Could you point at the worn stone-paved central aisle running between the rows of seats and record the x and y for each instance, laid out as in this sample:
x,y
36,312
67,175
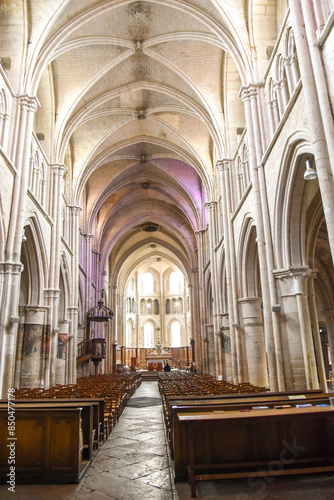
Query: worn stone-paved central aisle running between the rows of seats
x,y
134,463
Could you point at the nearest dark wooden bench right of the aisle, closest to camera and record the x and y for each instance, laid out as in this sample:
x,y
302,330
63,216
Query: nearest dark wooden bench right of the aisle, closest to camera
x,y
270,442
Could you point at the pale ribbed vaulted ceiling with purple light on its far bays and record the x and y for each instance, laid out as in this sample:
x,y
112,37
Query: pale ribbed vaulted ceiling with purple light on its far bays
x,y
138,99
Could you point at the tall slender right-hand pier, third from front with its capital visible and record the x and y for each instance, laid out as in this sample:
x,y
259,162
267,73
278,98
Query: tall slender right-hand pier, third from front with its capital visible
x,y
212,206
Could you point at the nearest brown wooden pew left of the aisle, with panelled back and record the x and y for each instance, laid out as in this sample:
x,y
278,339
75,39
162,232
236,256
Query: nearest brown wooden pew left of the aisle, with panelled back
x,y
48,445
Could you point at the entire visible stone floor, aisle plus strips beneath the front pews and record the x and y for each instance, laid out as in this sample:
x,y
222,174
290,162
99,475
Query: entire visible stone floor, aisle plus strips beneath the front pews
x,y
134,464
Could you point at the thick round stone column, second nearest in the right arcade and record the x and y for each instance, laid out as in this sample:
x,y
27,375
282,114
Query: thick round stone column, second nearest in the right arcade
x,y
255,345
